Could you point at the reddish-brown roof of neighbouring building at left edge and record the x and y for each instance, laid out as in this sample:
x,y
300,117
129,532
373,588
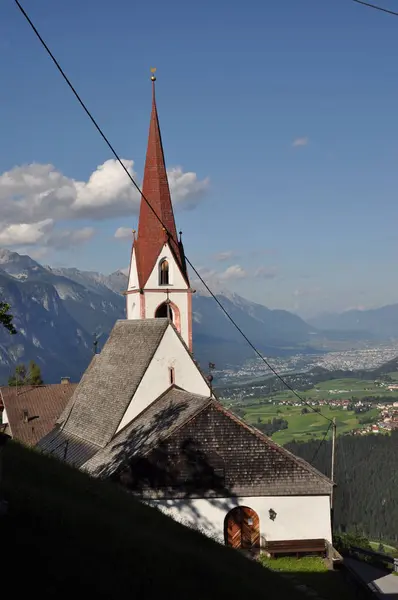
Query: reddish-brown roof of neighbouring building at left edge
x,y
43,405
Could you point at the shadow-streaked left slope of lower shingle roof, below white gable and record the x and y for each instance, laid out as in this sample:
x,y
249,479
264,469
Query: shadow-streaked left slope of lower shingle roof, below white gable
x,y
160,420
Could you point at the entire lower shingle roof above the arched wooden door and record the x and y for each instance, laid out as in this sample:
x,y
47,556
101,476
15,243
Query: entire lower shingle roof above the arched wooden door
x,y
176,426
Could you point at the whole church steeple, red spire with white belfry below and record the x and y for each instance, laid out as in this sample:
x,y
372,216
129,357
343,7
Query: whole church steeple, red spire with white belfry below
x,y
158,279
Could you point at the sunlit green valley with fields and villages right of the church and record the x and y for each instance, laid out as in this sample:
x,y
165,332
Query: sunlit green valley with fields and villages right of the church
x,y
359,406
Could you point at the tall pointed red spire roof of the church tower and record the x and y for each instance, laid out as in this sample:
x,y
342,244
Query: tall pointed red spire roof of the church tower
x,y
151,233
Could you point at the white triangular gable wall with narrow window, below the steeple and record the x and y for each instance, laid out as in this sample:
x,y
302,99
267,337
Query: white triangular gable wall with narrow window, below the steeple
x,y
170,353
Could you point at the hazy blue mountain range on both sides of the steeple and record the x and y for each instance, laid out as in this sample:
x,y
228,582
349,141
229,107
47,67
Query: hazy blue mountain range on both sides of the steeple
x,y
58,311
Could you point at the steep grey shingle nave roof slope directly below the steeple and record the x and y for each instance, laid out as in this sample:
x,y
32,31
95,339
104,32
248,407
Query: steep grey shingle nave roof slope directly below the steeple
x,y
111,380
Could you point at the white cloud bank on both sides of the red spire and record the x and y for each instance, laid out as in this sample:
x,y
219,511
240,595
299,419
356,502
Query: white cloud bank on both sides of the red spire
x,y
33,198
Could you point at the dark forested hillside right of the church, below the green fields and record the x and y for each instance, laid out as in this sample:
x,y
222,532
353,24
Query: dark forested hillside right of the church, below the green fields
x,y
366,495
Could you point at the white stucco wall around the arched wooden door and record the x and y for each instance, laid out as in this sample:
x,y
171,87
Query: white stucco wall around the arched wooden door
x,y
297,517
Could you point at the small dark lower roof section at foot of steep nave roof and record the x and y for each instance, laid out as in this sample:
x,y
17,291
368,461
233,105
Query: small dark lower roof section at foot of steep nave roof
x,y
67,447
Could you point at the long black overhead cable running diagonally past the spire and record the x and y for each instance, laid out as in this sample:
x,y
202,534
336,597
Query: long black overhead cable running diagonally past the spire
x,y
115,154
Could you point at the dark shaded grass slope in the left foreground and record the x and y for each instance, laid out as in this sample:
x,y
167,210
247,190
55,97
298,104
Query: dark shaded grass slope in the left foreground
x,y
66,533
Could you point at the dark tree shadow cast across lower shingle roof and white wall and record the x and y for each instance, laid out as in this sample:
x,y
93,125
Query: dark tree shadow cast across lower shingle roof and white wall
x,y
155,461
